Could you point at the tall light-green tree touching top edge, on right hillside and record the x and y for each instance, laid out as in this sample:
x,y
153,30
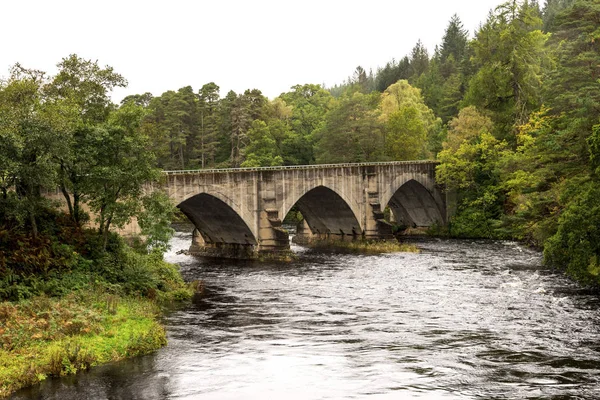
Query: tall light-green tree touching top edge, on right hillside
x,y
510,55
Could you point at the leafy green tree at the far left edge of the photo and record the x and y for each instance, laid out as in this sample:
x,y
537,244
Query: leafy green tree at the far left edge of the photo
x,y
30,141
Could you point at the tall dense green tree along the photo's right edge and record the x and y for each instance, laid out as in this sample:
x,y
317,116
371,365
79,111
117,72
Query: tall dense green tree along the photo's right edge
x,y
555,159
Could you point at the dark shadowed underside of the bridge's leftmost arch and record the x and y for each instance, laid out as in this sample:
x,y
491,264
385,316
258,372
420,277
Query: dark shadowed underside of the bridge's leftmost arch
x,y
216,221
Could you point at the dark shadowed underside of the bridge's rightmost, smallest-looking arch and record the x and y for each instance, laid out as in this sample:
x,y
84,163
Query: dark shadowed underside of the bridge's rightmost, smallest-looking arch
x,y
413,205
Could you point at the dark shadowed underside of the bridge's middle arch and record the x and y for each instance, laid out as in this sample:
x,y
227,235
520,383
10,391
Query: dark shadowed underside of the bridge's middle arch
x,y
327,213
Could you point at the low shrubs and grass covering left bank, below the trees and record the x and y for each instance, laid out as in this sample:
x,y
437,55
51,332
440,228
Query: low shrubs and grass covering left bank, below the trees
x,y
68,304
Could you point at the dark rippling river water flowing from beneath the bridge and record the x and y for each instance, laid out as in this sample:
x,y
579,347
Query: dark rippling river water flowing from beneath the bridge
x,y
460,320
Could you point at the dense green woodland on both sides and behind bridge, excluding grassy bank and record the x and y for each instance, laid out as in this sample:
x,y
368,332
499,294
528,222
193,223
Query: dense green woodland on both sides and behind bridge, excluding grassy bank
x,y
512,114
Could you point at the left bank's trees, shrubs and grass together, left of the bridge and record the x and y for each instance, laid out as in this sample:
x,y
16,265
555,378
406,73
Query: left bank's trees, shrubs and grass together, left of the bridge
x,y
73,296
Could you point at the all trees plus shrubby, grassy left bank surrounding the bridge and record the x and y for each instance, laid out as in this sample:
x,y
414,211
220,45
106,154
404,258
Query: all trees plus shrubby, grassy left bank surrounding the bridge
x,y
512,114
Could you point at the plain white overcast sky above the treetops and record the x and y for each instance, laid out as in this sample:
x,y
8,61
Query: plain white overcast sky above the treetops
x,y
268,45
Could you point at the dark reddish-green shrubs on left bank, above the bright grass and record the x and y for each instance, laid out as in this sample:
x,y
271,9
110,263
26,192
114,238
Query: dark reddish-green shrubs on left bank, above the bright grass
x,y
65,258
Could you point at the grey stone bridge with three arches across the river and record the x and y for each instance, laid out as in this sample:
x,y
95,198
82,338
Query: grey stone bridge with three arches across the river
x,y
239,212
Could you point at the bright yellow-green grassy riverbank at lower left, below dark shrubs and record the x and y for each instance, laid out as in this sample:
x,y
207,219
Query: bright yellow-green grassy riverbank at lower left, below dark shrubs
x,y
50,337
